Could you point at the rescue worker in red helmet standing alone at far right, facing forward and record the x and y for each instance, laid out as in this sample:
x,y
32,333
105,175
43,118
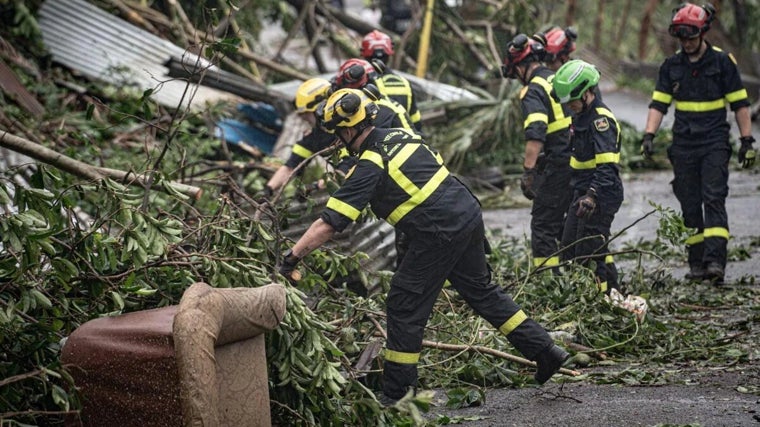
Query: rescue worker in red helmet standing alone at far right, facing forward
x,y
701,79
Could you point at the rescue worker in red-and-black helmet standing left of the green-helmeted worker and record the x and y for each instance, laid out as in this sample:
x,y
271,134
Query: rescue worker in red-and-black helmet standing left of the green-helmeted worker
x,y
546,129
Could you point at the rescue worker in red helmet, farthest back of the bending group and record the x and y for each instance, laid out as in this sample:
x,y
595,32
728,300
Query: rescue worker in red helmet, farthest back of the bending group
x,y
377,47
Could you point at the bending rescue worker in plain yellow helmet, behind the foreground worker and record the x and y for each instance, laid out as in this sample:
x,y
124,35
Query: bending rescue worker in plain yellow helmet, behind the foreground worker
x,y
308,97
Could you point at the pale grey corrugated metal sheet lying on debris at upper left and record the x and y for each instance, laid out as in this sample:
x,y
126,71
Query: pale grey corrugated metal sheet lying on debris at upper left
x,y
104,47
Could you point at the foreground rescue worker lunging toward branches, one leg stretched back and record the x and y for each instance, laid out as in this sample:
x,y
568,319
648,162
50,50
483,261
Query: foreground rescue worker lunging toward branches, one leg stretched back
x,y
405,182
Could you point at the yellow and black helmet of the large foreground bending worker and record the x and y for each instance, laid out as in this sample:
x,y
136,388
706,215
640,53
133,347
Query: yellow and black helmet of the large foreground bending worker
x,y
348,108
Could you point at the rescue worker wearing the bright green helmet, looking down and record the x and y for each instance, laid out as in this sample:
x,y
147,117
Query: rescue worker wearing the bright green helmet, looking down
x,y
597,188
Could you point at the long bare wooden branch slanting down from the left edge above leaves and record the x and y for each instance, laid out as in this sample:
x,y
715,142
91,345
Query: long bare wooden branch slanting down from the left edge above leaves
x,y
84,170
